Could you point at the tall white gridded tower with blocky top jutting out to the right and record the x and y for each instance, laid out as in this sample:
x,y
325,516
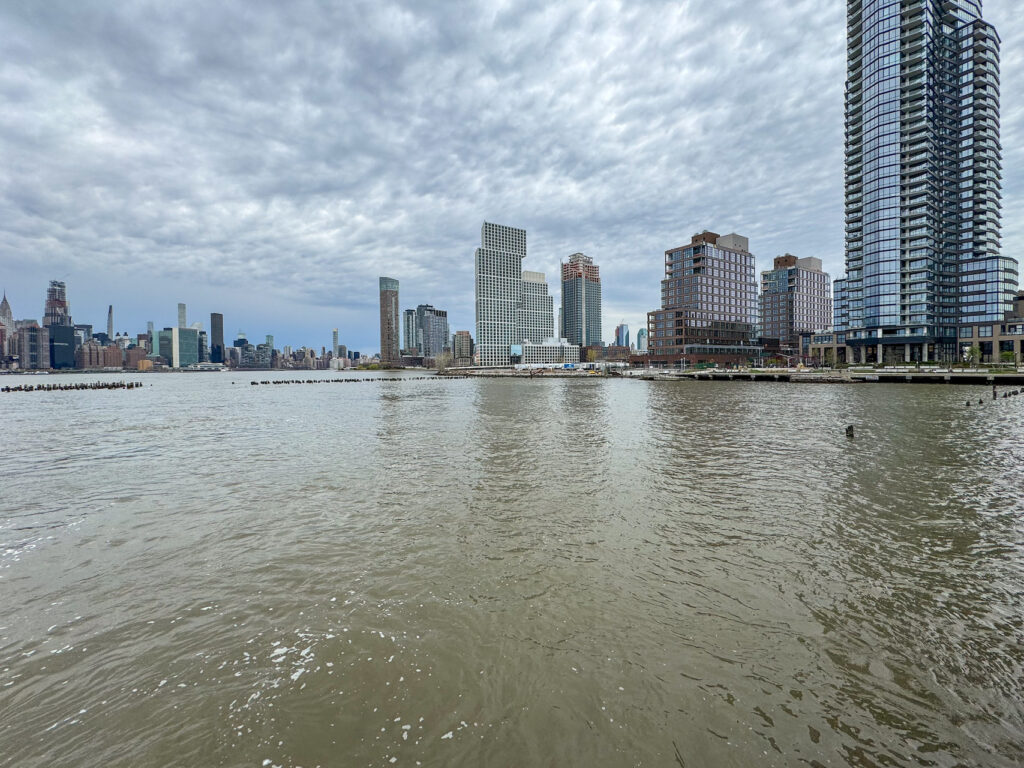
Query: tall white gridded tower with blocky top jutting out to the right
x,y
498,276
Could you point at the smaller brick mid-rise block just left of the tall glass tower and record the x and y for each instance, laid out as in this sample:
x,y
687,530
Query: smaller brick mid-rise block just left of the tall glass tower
x,y
796,296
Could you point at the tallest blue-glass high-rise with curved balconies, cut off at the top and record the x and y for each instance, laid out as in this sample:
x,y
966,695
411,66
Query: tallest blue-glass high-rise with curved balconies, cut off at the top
x,y
923,181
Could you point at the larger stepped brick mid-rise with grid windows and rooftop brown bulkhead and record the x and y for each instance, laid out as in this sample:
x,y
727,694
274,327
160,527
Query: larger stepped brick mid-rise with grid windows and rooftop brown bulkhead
x,y
709,304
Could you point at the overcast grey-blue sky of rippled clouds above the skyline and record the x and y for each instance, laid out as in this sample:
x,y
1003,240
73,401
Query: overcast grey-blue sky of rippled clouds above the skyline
x,y
271,160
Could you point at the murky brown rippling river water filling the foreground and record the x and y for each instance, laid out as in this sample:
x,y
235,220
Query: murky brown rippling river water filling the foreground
x,y
511,574
